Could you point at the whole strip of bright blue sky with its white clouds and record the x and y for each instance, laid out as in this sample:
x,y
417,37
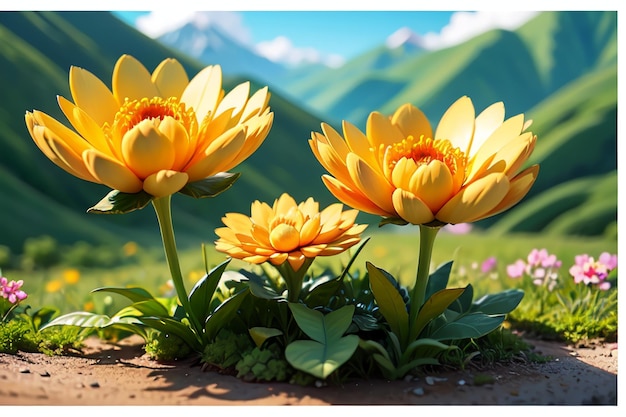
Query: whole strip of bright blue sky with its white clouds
x,y
326,35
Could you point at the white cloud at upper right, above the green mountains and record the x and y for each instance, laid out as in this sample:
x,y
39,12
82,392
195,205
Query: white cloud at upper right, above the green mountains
x,y
465,25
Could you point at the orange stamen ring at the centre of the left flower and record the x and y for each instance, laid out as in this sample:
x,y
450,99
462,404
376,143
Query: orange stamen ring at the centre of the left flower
x,y
134,111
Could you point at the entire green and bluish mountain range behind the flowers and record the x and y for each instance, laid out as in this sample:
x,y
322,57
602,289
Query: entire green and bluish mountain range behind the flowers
x,y
560,69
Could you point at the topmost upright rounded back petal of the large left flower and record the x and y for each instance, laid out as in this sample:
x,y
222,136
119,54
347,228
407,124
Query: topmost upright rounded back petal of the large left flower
x,y
131,80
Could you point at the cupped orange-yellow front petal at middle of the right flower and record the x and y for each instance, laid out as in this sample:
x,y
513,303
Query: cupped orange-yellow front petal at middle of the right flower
x,y
433,184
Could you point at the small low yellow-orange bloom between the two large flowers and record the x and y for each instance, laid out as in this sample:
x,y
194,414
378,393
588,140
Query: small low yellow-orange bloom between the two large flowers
x,y
288,231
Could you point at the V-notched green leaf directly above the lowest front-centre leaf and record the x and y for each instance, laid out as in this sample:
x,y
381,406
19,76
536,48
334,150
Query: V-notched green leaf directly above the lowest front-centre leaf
x,y
319,327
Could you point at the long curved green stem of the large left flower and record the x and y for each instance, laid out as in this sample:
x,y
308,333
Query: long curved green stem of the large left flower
x,y
162,207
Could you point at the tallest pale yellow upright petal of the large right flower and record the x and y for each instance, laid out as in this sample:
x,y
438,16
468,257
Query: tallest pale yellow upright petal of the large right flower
x,y
457,124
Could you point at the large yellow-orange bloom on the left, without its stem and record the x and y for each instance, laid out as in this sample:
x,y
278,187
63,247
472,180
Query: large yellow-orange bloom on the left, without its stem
x,y
153,132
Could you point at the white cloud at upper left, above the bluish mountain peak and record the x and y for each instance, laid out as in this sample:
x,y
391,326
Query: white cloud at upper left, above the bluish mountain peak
x,y
157,23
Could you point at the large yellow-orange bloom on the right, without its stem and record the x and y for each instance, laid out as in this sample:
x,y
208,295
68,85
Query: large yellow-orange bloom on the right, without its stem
x,y
467,171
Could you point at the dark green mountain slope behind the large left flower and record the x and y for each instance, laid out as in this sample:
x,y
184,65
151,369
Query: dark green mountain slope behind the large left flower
x,y
36,52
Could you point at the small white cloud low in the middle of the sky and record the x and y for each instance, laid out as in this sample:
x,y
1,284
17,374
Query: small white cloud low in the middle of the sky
x,y
282,50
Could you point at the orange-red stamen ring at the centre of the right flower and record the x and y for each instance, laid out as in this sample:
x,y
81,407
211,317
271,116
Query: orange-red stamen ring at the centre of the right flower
x,y
425,150
